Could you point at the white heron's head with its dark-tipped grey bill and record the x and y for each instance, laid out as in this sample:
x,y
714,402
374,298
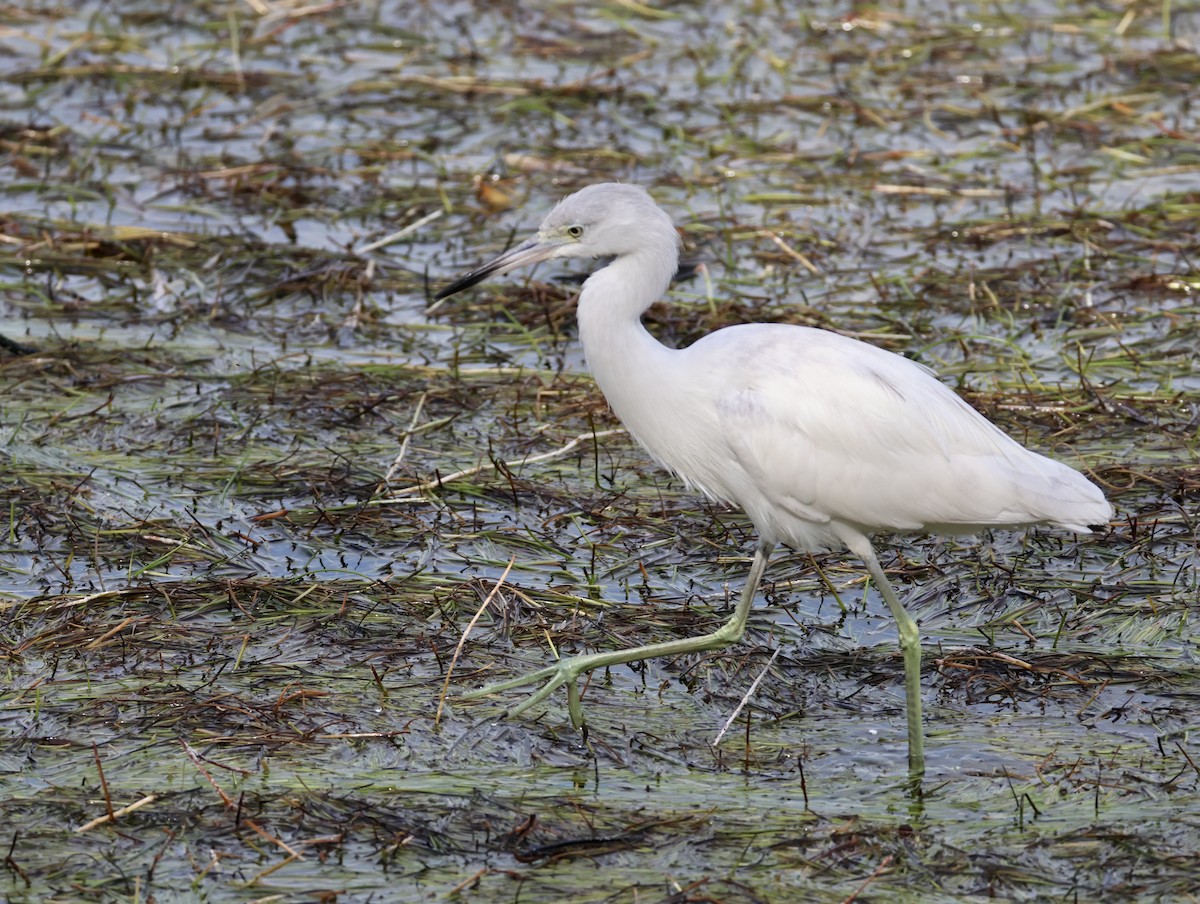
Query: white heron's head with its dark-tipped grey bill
x,y
605,220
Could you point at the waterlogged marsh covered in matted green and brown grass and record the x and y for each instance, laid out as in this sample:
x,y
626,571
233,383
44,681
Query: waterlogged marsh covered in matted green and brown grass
x,y
256,487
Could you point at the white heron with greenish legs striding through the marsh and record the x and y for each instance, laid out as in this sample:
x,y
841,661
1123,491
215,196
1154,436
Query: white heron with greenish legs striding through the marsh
x,y
823,440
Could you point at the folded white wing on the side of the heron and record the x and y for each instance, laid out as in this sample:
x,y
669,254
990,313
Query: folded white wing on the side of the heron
x,y
820,426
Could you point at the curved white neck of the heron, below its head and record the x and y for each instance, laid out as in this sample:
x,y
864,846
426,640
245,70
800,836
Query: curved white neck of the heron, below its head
x,y
623,357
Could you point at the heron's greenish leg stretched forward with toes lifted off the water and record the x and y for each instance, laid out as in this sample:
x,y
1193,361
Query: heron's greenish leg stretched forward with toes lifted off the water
x,y
567,672
